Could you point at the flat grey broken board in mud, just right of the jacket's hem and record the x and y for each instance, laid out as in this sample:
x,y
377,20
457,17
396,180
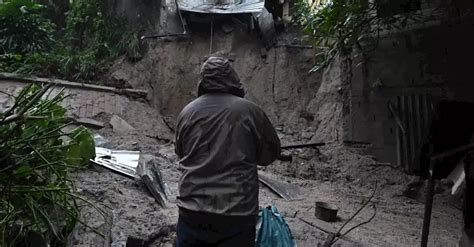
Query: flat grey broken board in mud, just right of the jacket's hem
x,y
287,191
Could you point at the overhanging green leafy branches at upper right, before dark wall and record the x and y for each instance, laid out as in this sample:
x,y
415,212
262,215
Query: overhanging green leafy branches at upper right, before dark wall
x,y
348,27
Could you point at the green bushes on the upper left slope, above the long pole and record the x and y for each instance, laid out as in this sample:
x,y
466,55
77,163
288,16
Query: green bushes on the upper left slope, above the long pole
x,y
35,40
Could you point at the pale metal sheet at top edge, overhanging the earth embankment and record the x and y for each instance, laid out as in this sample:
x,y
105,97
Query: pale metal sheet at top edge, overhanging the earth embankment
x,y
221,7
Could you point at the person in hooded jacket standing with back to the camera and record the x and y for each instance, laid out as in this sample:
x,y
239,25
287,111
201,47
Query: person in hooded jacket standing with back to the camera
x,y
220,140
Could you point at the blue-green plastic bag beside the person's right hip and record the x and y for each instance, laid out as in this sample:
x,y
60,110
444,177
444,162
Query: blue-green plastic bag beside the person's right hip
x,y
273,230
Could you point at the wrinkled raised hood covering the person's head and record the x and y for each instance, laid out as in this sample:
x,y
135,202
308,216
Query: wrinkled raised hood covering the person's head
x,y
218,76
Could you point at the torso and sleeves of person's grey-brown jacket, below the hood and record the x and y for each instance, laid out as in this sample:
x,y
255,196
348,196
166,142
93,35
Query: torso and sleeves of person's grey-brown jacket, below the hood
x,y
221,139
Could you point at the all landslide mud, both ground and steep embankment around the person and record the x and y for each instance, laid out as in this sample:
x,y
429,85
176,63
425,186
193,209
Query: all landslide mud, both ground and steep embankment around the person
x,y
303,107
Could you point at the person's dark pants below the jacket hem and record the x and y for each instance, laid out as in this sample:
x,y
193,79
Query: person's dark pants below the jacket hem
x,y
196,229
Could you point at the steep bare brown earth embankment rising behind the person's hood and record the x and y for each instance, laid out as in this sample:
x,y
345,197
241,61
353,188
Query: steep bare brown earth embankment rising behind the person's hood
x,y
276,79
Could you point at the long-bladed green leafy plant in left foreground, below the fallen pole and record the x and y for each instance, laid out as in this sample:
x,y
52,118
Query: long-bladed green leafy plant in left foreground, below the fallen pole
x,y
36,155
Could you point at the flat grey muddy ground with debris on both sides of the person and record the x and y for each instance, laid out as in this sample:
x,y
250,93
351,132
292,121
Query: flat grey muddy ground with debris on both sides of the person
x,y
337,174
